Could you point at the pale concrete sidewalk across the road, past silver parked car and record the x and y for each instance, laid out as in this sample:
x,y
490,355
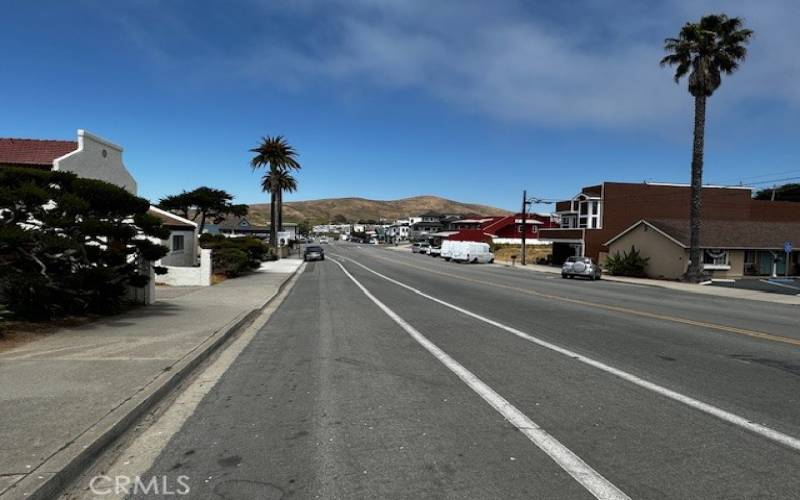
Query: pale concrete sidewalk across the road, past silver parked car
x,y
676,285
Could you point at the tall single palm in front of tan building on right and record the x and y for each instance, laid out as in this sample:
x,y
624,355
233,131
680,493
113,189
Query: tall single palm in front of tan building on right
x,y
704,50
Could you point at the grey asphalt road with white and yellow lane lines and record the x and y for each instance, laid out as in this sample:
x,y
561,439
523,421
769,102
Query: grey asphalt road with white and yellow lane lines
x,y
512,385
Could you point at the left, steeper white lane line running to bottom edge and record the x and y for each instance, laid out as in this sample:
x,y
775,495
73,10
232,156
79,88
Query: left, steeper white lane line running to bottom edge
x,y
589,478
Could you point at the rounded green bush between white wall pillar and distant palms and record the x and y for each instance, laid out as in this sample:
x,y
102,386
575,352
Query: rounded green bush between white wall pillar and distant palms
x,y
233,257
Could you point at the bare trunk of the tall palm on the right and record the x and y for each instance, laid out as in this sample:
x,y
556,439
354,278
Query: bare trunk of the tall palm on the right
x,y
695,271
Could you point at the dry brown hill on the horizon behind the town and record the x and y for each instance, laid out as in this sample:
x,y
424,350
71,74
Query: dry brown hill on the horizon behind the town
x,y
354,209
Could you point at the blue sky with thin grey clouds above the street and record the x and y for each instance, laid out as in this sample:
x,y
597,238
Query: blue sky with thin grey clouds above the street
x,y
470,100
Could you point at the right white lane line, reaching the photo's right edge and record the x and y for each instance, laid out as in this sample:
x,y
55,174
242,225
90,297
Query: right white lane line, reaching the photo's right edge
x,y
732,418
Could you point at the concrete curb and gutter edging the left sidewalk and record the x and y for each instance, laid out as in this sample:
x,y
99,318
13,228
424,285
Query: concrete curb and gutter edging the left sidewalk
x,y
57,472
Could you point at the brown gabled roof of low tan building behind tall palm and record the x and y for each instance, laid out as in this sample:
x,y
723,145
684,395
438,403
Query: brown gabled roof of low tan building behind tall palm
x,y
726,234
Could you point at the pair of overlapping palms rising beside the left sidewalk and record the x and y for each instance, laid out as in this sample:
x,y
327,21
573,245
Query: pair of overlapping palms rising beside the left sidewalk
x,y
277,155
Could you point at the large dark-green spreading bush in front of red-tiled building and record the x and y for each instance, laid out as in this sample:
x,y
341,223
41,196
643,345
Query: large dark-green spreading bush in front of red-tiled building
x,y
70,245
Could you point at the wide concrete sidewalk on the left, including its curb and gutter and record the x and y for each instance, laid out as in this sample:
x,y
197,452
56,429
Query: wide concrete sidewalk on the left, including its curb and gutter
x,y
63,397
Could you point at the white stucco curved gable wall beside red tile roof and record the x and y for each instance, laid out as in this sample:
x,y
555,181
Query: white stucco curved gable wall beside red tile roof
x,y
99,159
